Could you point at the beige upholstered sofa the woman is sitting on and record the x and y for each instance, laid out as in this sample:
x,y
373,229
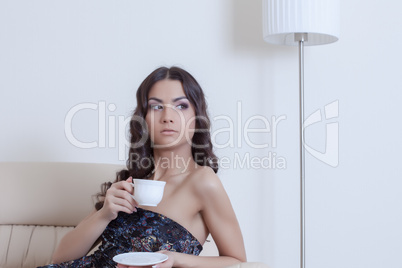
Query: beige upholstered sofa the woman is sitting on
x,y
40,202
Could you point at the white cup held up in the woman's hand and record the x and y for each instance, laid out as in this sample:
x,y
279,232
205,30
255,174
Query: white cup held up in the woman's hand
x,y
148,192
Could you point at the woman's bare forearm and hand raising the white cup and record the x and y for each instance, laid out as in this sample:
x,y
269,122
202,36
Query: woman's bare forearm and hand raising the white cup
x,y
79,241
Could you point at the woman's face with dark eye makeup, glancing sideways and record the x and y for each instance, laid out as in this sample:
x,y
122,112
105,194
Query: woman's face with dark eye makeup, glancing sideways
x,y
170,116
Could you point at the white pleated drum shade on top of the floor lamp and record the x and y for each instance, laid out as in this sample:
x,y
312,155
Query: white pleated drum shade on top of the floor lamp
x,y
318,18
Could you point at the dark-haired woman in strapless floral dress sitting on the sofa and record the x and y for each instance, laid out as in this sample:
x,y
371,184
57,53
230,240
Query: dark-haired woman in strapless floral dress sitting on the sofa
x,y
170,141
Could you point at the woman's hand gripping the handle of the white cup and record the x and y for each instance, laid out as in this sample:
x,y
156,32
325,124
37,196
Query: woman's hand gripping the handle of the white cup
x,y
118,198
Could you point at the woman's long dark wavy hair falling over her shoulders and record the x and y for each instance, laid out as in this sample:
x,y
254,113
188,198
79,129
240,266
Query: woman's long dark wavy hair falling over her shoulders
x,y
140,142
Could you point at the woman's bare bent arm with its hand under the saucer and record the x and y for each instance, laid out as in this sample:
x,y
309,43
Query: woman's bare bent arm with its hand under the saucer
x,y
222,223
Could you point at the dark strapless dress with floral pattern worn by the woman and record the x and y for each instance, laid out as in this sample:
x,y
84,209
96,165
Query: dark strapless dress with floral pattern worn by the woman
x,y
141,231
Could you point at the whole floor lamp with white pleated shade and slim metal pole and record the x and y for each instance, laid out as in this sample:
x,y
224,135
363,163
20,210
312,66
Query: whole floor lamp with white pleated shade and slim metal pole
x,y
301,23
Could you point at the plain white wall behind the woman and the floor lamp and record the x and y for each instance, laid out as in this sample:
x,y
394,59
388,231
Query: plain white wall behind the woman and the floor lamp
x,y
55,55
